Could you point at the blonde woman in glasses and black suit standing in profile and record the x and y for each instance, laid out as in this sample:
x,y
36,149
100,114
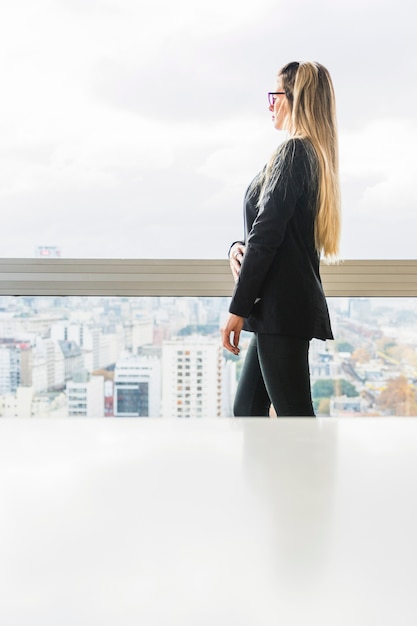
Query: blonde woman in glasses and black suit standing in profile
x,y
292,217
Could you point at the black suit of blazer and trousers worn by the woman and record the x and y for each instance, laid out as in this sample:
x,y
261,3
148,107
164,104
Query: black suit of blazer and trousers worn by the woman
x,y
279,291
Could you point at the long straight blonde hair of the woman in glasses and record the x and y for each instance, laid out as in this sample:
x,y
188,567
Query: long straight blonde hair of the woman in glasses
x,y
310,94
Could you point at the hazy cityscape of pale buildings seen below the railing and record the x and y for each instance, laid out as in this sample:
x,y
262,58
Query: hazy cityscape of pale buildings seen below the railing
x,y
63,357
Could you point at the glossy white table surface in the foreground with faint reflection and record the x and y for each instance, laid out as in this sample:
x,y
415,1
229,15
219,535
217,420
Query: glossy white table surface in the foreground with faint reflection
x,y
235,522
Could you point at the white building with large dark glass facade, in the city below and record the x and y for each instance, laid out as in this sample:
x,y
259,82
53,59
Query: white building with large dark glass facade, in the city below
x,y
137,387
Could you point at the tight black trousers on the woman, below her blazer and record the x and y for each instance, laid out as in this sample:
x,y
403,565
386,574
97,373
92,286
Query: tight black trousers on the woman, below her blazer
x,y
276,372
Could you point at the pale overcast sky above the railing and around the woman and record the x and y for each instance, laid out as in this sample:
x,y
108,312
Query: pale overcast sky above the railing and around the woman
x,y
131,128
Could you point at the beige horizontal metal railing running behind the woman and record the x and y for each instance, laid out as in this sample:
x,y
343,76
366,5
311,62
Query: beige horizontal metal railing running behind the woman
x,y
194,277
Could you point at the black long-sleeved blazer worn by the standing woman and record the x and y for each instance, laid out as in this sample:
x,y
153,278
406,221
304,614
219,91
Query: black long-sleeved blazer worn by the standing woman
x,y
279,289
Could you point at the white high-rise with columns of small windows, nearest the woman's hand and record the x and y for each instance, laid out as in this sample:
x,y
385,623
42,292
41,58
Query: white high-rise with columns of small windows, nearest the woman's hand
x,y
192,373
